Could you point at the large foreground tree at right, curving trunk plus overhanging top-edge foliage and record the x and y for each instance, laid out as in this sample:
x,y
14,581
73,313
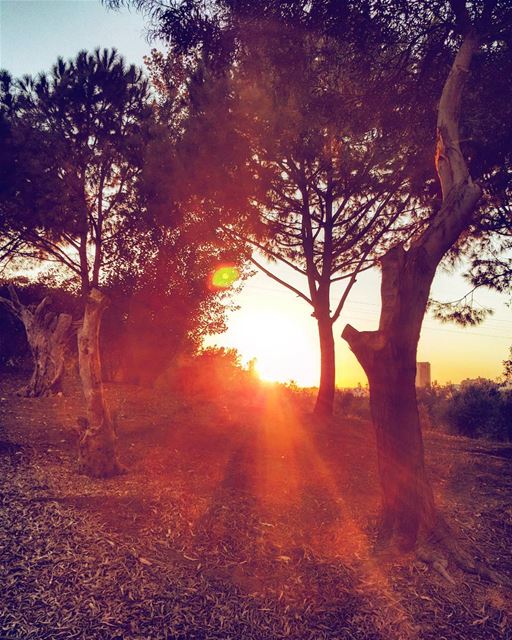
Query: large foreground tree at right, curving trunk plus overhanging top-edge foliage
x,y
425,36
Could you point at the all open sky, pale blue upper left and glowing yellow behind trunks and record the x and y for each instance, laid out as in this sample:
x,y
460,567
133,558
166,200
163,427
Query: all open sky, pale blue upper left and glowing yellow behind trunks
x,y
272,324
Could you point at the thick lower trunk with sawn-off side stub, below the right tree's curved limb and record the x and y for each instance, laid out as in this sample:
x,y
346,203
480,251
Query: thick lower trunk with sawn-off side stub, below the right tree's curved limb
x,y
388,357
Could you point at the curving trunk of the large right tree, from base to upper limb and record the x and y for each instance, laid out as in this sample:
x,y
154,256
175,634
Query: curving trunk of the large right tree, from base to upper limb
x,y
388,355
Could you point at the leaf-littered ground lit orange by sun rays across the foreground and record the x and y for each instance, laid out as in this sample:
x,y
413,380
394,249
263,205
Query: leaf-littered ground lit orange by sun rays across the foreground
x,y
239,517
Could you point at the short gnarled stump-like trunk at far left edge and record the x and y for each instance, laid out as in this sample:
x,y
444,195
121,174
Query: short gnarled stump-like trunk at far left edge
x,y
48,336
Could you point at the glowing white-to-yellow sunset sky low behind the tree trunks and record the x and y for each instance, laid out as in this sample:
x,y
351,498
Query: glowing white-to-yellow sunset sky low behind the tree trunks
x,y
276,327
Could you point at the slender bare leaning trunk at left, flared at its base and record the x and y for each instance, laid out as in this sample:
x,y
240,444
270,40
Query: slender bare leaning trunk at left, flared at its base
x,y
97,444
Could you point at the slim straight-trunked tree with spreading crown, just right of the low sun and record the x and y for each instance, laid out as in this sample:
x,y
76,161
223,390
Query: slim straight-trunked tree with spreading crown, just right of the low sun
x,y
327,187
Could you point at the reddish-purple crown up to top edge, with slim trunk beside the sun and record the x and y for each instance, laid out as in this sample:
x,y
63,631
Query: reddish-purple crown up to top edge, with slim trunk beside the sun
x,y
291,132
